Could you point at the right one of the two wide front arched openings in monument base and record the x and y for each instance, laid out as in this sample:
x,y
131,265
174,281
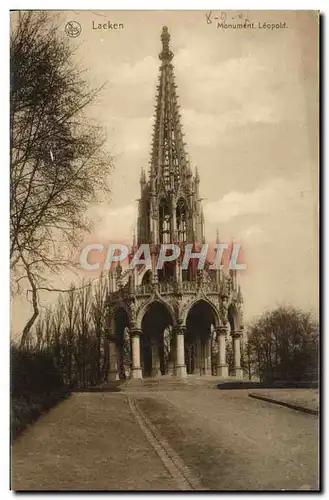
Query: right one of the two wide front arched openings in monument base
x,y
199,339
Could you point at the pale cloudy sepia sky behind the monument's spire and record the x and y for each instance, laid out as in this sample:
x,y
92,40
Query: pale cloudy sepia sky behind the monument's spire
x,y
249,106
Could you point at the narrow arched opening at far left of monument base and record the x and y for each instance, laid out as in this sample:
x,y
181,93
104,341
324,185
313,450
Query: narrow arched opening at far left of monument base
x,y
122,340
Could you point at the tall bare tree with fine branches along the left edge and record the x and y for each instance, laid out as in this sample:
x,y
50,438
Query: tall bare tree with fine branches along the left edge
x,y
58,164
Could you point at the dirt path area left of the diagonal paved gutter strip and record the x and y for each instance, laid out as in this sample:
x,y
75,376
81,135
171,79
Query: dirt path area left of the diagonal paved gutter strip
x,y
89,442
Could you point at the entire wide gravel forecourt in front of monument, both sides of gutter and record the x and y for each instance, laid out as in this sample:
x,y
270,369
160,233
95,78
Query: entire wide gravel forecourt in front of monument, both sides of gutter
x,y
168,440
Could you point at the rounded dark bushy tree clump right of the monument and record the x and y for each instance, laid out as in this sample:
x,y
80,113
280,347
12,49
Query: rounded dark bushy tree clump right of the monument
x,y
283,345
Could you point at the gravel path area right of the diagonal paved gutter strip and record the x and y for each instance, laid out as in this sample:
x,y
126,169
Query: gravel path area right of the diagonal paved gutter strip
x,y
231,441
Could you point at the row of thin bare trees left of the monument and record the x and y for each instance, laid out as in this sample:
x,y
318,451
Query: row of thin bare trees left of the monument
x,y
73,334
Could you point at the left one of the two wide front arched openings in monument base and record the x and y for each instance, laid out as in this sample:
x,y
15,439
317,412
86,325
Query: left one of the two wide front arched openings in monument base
x,y
157,325
